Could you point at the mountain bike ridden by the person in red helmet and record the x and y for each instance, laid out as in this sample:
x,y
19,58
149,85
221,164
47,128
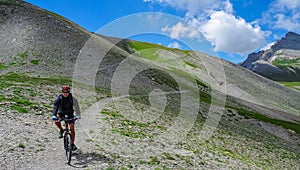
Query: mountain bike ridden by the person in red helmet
x,y
67,137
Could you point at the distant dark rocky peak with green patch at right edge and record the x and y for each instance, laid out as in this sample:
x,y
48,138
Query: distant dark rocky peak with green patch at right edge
x,y
281,62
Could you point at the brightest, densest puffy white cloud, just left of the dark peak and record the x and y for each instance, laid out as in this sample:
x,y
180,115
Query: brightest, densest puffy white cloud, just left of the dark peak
x,y
230,34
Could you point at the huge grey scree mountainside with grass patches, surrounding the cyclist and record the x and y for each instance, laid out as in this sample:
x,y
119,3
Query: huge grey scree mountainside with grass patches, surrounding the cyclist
x,y
144,106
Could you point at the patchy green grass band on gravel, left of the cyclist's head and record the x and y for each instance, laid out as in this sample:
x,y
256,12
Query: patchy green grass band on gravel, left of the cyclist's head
x,y
19,92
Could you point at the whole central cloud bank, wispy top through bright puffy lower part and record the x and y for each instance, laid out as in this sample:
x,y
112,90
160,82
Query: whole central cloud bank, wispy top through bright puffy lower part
x,y
215,20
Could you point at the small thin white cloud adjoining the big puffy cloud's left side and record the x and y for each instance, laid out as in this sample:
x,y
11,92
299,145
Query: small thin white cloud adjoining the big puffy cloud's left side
x,y
181,31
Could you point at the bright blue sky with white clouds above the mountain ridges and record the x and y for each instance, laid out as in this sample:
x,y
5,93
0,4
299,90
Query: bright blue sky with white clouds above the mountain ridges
x,y
230,29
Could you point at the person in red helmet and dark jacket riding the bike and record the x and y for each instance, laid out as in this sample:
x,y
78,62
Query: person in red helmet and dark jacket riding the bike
x,y
64,105
